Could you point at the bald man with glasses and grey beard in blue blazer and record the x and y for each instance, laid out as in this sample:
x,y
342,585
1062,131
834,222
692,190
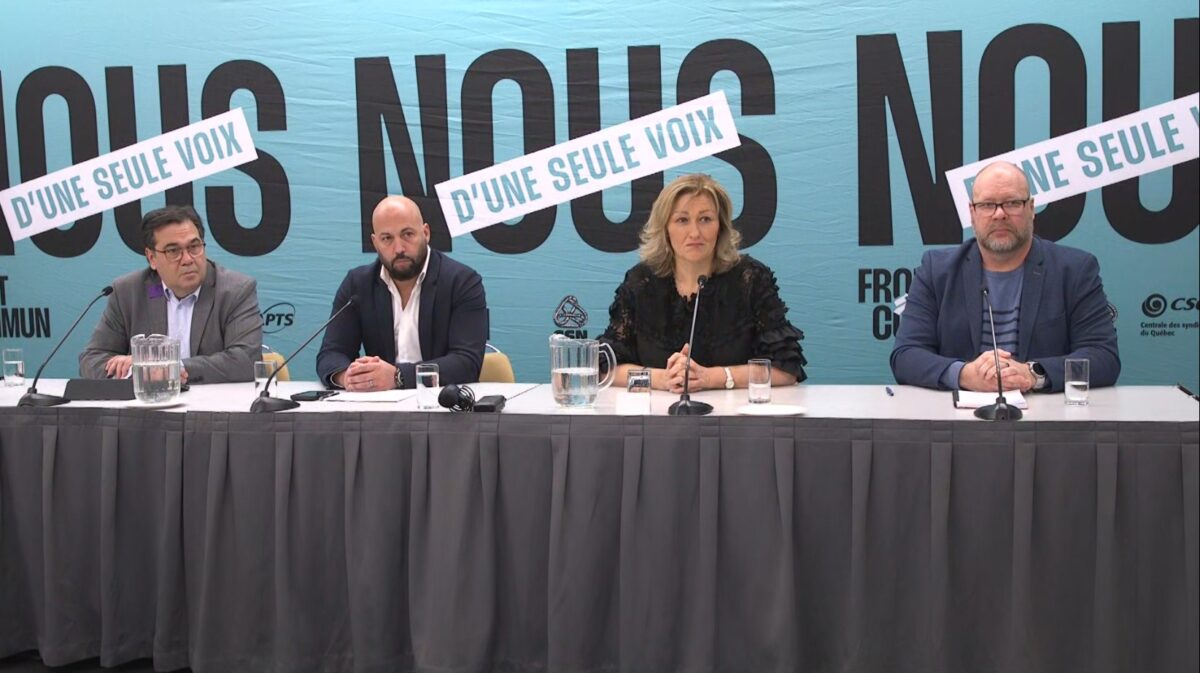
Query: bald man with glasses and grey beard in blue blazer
x,y
1048,302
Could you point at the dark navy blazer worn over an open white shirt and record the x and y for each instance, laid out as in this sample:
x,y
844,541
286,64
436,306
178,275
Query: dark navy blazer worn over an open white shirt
x,y
453,325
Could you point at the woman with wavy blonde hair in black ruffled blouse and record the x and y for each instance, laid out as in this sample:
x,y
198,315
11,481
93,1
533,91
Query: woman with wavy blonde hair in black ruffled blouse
x,y
691,235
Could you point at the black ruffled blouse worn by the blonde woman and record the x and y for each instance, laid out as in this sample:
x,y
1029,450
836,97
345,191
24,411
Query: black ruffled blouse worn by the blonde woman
x,y
741,317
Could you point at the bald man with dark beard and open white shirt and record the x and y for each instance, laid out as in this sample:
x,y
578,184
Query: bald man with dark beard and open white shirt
x,y
413,305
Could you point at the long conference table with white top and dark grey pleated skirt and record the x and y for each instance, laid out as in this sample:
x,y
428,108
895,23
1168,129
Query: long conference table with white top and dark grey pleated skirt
x,y
865,532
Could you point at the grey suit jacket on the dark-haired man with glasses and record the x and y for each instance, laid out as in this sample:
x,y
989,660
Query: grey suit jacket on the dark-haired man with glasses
x,y
227,328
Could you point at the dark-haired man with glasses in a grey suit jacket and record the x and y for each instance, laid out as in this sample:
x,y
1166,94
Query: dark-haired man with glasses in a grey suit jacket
x,y
209,309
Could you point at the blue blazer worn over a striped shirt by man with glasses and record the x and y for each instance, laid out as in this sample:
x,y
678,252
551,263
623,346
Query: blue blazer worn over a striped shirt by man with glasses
x,y
1064,315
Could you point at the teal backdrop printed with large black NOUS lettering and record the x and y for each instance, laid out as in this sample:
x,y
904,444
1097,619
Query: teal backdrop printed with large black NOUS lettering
x,y
850,115
